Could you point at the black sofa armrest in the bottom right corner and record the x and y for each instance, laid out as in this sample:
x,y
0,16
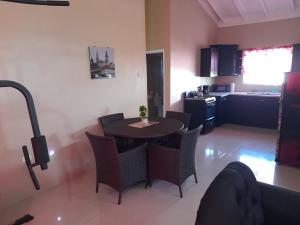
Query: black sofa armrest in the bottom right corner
x,y
280,206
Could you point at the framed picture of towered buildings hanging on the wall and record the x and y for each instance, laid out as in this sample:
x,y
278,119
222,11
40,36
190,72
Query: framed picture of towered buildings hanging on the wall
x,y
102,62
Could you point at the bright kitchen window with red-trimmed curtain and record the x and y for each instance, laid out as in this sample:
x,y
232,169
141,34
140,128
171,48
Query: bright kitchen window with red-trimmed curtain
x,y
266,66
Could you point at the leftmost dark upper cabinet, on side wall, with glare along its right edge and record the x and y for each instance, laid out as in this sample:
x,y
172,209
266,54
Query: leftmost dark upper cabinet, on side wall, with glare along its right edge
x,y
209,62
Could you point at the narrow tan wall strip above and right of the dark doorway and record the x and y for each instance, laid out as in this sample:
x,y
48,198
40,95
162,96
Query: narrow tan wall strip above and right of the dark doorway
x,y
158,37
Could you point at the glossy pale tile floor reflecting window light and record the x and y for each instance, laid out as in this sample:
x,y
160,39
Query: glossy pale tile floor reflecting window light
x,y
76,203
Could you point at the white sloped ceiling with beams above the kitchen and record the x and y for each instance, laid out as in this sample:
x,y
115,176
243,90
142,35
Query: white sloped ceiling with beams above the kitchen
x,y
236,12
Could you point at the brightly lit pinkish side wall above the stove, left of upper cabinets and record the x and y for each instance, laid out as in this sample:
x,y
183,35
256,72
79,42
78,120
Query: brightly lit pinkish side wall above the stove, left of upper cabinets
x,y
191,30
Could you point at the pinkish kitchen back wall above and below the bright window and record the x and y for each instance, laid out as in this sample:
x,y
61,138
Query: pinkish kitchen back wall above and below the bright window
x,y
259,35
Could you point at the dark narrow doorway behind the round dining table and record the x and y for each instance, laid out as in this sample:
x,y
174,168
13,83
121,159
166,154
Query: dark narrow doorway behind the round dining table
x,y
155,83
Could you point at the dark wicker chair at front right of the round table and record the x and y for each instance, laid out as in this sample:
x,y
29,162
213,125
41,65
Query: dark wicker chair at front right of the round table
x,y
174,164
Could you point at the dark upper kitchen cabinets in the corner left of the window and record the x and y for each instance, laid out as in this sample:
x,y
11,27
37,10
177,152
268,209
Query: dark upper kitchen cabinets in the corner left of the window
x,y
227,57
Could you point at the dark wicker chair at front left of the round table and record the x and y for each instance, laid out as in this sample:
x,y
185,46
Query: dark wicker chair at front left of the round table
x,y
118,170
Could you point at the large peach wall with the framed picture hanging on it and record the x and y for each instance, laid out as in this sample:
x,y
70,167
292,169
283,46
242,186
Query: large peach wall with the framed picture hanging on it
x,y
46,49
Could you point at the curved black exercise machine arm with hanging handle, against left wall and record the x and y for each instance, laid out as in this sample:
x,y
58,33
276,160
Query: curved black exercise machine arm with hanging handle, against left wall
x,y
39,143
